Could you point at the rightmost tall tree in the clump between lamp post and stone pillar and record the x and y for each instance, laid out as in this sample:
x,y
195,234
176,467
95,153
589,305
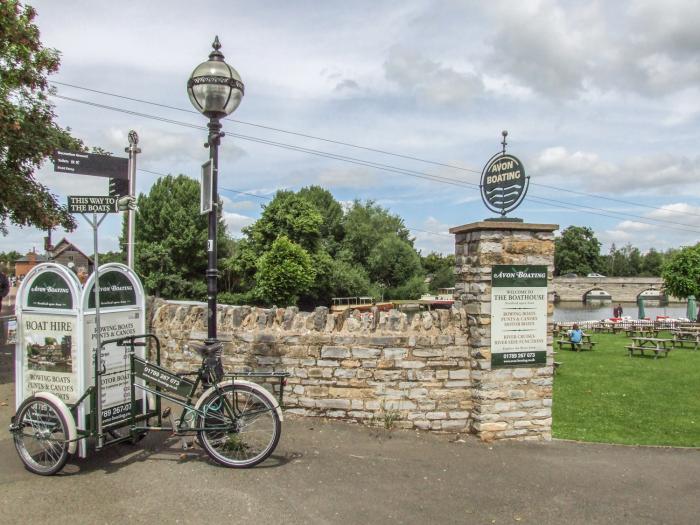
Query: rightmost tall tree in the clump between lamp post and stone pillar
x,y
365,225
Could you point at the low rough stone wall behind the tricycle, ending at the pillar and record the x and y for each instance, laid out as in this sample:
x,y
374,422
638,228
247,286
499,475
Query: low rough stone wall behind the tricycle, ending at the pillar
x,y
372,367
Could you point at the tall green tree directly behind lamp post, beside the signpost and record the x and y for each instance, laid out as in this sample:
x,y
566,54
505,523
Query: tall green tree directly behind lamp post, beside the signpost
x,y
171,238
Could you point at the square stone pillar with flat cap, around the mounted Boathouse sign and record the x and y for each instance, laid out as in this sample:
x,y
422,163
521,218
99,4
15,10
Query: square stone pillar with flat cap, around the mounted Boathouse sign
x,y
508,403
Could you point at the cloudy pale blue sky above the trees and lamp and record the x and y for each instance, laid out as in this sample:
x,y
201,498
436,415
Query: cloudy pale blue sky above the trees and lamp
x,y
601,101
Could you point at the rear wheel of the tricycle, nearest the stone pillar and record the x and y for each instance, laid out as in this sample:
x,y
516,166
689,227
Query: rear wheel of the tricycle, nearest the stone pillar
x,y
248,437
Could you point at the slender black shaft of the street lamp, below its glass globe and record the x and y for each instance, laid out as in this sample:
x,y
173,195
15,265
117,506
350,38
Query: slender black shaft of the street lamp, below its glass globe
x,y
212,273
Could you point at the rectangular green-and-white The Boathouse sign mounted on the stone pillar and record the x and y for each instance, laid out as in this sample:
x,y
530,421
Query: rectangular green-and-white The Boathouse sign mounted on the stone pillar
x,y
518,315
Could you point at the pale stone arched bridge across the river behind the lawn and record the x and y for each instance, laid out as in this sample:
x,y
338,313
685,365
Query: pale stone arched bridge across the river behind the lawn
x,y
622,289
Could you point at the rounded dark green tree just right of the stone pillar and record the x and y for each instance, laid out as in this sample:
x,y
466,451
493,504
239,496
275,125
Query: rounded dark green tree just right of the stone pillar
x,y
577,250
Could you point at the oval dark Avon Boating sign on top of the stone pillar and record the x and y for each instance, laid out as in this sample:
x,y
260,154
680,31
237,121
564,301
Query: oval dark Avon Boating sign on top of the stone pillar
x,y
503,183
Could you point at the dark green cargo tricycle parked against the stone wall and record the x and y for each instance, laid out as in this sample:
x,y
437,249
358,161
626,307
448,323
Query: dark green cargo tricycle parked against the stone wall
x,y
235,420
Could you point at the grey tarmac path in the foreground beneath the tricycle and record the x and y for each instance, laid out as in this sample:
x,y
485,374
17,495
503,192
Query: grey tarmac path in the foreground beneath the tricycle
x,y
342,473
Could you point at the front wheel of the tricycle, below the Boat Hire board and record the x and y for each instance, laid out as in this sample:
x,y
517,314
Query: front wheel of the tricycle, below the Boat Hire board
x,y
42,438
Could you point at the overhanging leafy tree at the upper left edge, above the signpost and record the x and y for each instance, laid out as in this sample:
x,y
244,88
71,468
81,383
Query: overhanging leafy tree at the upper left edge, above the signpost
x,y
28,133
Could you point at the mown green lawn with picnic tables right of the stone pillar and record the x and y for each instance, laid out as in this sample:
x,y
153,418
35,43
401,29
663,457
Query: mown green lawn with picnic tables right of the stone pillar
x,y
605,396
